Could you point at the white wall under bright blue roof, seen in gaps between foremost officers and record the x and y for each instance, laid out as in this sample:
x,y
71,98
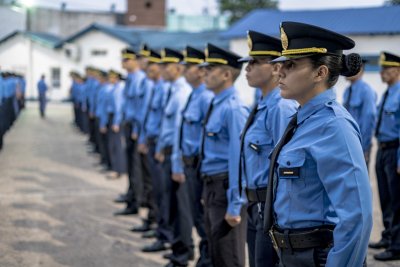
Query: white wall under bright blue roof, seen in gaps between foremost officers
x,y
365,45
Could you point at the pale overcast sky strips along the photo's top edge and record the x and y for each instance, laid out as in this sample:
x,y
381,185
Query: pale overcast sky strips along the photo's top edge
x,y
193,7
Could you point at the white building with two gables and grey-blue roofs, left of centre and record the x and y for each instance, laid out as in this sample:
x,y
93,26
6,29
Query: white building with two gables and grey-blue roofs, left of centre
x,y
34,54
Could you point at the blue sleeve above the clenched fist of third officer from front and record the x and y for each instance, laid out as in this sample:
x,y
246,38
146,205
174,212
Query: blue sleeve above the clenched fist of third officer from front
x,y
235,120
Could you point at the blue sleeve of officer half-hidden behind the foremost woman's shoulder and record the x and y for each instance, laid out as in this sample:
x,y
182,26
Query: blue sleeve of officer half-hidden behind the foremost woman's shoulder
x,y
368,112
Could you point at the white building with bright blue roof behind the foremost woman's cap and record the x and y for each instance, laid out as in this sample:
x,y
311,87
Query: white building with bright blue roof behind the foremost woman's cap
x,y
372,29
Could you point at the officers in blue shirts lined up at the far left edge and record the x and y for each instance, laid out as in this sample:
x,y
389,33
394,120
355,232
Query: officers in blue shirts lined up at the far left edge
x,y
12,91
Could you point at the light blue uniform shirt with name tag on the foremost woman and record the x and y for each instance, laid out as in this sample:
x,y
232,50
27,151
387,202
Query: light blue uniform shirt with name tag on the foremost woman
x,y
330,184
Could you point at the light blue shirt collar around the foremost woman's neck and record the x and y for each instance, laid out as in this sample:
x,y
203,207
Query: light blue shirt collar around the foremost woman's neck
x,y
315,104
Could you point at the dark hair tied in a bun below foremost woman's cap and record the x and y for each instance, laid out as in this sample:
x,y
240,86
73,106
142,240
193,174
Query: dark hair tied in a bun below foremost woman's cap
x,y
343,65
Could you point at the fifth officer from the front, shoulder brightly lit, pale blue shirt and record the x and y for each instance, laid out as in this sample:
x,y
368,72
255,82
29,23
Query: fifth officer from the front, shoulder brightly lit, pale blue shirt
x,y
176,97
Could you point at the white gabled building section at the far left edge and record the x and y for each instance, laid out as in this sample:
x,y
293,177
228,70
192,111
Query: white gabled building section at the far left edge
x,y
34,54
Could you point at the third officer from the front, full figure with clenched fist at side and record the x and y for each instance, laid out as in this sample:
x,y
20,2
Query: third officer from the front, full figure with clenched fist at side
x,y
225,219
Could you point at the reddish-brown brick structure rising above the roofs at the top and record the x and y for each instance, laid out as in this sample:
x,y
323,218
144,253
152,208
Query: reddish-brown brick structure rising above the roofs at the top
x,y
146,13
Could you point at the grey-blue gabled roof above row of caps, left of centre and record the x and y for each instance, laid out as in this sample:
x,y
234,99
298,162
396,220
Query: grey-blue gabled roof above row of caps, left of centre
x,y
155,38
